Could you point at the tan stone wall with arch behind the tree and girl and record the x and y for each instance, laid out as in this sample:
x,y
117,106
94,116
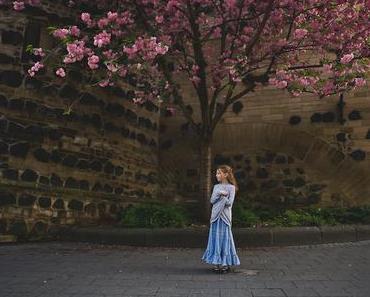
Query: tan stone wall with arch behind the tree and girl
x,y
286,151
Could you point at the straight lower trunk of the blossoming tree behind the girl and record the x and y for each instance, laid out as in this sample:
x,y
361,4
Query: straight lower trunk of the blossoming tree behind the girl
x,y
205,179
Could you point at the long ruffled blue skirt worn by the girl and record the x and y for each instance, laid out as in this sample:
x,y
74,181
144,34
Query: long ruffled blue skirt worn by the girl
x,y
221,247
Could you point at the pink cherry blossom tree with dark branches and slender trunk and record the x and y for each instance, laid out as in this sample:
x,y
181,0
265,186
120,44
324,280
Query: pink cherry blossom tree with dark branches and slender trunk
x,y
225,48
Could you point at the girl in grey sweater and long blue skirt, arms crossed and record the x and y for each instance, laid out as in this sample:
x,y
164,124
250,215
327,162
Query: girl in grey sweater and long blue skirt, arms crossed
x,y
221,250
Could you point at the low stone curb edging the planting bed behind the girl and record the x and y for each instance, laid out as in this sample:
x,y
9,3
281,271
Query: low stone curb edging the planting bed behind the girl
x,y
198,237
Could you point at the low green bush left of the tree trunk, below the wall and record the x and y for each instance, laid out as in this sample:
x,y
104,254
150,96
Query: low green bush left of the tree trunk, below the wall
x,y
154,215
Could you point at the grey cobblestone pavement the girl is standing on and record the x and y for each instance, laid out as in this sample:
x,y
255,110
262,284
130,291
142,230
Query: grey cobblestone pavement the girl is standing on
x,y
85,270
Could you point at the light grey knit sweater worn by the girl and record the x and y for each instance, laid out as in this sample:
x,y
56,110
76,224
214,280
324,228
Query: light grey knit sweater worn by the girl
x,y
222,205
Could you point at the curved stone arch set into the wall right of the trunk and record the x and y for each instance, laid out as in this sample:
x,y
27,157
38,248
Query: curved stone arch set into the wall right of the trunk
x,y
349,177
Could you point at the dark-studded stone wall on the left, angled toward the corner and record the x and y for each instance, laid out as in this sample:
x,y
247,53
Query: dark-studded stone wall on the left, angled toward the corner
x,y
61,166
